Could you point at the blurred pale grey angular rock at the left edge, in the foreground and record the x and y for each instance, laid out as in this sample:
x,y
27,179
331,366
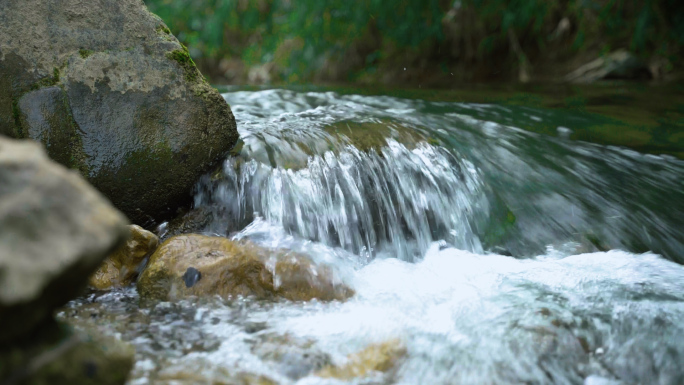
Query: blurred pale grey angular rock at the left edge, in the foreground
x,y
55,230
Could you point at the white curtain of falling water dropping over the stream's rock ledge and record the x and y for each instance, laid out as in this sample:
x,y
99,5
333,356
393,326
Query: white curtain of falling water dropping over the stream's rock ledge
x,y
396,200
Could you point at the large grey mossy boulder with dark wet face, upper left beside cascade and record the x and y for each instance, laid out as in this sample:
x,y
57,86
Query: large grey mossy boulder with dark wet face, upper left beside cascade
x,y
109,91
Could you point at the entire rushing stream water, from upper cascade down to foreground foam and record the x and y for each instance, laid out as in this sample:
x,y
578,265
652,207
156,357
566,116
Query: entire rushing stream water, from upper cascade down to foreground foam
x,y
489,254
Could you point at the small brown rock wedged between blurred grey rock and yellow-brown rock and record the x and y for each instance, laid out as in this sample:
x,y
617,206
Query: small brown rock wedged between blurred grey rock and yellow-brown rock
x,y
121,267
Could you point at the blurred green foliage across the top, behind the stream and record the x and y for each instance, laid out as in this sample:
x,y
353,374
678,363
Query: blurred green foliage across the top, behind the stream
x,y
303,36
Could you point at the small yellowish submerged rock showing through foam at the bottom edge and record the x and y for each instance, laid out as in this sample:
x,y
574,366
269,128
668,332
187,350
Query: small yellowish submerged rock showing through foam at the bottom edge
x,y
380,358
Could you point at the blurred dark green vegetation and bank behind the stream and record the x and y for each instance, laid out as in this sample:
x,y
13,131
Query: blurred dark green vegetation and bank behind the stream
x,y
420,41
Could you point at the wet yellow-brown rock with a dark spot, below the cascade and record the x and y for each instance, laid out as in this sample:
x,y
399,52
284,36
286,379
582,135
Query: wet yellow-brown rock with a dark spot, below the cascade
x,y
198,265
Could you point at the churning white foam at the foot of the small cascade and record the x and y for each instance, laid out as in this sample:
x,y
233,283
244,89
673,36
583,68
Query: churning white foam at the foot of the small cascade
x,y
470,319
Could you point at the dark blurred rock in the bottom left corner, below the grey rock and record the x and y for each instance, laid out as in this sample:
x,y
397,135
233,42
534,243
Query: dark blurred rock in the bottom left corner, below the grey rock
x,y
61,355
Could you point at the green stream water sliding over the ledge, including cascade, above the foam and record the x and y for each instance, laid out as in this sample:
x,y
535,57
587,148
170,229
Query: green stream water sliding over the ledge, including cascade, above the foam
x,y
381,175
